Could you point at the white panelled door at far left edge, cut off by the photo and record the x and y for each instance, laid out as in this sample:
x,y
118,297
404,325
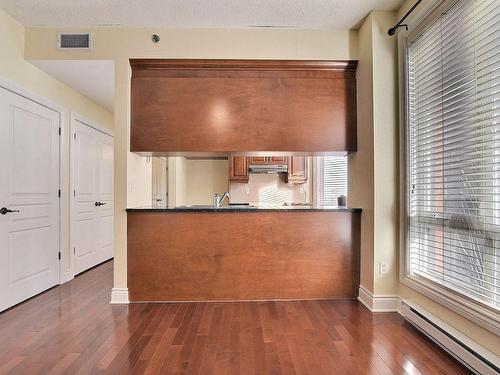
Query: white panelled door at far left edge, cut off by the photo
x,y
29,183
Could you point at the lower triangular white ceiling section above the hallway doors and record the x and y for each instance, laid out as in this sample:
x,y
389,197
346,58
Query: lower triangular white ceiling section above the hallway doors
x,y
92,78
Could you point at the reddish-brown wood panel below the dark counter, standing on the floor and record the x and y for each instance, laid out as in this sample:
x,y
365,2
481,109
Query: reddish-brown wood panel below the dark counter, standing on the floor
x,y
207,256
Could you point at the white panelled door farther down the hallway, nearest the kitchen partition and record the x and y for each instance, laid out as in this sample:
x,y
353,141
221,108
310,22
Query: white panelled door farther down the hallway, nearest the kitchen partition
x,y
92,209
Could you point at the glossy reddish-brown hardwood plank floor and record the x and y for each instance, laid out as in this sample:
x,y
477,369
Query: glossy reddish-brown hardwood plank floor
x,y
72,329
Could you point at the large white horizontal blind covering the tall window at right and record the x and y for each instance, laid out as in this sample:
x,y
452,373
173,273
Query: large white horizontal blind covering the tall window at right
x,y
454,151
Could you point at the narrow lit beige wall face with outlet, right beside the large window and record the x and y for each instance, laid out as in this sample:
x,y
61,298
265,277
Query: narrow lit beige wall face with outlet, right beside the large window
x,y
385,154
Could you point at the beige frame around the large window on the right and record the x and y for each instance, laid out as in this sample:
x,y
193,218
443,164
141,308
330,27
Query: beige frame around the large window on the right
x,y
485,316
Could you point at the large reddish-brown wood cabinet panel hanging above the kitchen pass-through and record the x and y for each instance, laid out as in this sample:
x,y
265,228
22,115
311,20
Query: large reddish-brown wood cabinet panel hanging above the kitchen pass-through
x,y
223,106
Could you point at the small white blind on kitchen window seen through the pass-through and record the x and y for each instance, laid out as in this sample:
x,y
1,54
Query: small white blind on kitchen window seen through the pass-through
x,y
332,179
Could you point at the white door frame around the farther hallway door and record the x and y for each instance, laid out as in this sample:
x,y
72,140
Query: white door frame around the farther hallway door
x,y
74,118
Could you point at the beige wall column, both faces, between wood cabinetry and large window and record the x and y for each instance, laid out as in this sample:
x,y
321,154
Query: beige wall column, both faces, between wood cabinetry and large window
x,y
373,173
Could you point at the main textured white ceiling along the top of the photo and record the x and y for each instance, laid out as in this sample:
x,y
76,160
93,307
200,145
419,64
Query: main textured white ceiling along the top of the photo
x,y
334,14
